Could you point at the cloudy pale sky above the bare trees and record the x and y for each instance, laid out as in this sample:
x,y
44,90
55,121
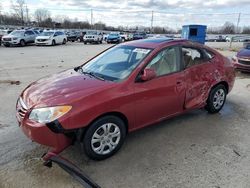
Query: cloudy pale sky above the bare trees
x,y
166,13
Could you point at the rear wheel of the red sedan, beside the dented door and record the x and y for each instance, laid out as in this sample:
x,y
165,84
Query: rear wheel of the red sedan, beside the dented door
x,y
216,99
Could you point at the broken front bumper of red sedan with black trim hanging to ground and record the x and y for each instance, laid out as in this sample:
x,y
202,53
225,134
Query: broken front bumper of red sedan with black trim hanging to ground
x,y
54,136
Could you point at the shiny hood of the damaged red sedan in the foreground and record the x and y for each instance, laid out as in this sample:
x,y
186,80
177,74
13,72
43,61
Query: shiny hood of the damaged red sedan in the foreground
x,y
62,89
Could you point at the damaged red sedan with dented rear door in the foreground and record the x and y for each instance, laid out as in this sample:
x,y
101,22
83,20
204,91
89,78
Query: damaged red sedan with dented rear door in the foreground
x,y
125,88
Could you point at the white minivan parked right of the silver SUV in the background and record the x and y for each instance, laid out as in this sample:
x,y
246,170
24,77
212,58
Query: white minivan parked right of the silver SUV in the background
x,y
51,38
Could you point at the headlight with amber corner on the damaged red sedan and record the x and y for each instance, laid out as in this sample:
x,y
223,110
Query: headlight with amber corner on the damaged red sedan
x,y
47,115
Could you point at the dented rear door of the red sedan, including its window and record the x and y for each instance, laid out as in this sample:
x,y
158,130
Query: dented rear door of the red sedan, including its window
x,y
199,75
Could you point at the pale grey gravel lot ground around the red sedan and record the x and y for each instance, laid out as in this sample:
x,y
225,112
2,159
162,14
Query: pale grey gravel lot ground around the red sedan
x,y
192,150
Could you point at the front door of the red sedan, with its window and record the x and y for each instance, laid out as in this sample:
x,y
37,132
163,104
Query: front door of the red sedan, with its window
x,y
164,95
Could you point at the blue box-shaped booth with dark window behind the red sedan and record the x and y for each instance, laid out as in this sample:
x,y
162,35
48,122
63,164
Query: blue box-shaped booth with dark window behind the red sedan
x,y
195,33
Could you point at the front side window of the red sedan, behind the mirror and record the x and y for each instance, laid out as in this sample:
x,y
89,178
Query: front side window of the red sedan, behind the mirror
x,y
166,61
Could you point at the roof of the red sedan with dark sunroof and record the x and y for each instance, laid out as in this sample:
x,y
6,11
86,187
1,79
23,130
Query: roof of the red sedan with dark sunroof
x,y
152,43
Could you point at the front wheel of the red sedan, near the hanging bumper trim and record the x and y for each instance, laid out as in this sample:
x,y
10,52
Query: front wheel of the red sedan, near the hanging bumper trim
x,y
98,144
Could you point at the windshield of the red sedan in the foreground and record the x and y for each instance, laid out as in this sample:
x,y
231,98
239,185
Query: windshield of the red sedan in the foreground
x,y
117,63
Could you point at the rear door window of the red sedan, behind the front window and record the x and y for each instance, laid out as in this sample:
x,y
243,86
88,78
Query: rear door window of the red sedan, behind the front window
x,y
193,56
